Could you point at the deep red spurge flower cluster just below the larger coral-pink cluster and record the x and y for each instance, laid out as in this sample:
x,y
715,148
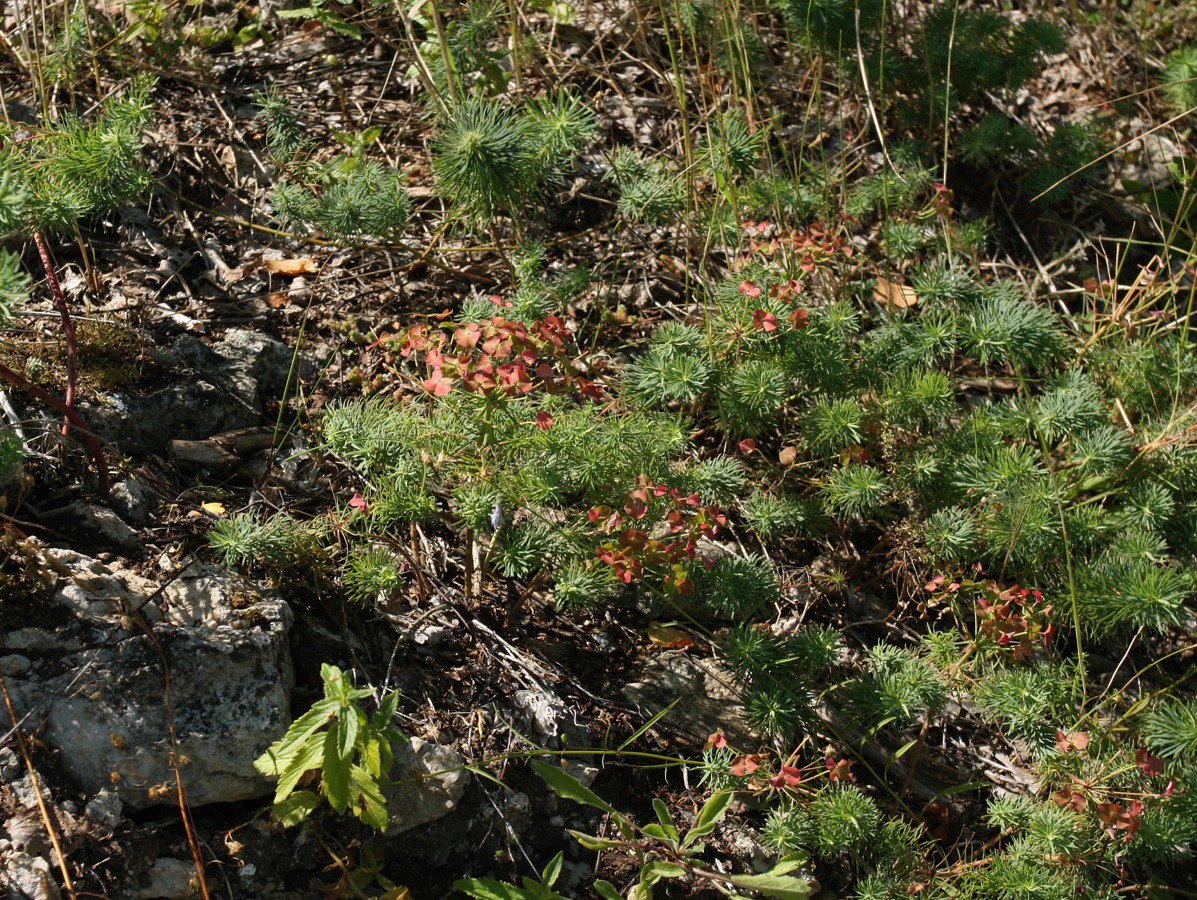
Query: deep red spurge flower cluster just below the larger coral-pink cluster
x,y
636,551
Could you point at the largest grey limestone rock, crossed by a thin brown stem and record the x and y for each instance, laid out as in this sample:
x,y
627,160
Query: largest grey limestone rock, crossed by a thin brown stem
x,y
105,703
